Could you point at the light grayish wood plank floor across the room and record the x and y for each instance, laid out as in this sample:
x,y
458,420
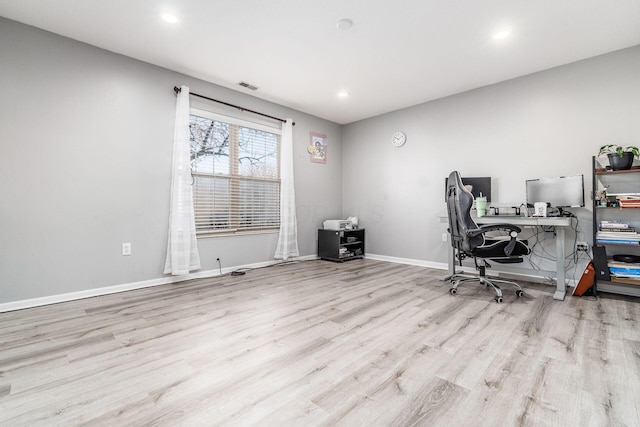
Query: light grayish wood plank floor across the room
x,y
364,343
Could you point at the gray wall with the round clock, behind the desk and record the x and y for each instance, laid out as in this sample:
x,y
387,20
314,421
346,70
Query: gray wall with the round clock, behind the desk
x,y
542,125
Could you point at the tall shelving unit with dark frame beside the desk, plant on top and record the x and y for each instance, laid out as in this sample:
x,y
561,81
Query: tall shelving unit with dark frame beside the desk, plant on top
x,y
629,181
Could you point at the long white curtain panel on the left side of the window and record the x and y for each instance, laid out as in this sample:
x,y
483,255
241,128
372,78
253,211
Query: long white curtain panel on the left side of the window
x,y
182,248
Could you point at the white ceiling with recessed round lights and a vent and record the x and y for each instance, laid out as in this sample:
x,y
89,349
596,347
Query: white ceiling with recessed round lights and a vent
x,y
397,54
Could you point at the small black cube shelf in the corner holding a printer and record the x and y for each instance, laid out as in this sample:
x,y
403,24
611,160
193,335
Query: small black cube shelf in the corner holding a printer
x,y
341,245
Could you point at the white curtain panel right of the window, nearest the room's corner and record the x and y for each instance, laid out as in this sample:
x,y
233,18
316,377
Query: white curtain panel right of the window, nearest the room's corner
x,y
288,237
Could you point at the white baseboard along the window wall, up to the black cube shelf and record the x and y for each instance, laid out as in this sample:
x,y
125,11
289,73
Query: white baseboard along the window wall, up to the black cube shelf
x,y
71,296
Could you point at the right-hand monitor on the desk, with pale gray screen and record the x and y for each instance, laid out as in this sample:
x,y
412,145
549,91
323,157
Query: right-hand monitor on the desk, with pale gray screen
x,y
558,192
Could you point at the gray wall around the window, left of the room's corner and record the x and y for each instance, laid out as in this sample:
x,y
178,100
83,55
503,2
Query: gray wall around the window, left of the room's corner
x,y
85,149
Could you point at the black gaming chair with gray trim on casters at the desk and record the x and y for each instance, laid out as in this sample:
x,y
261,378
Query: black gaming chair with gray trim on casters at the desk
x,y
468,240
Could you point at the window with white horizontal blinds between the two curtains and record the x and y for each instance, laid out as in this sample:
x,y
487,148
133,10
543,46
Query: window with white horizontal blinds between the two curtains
x,y
236,175
